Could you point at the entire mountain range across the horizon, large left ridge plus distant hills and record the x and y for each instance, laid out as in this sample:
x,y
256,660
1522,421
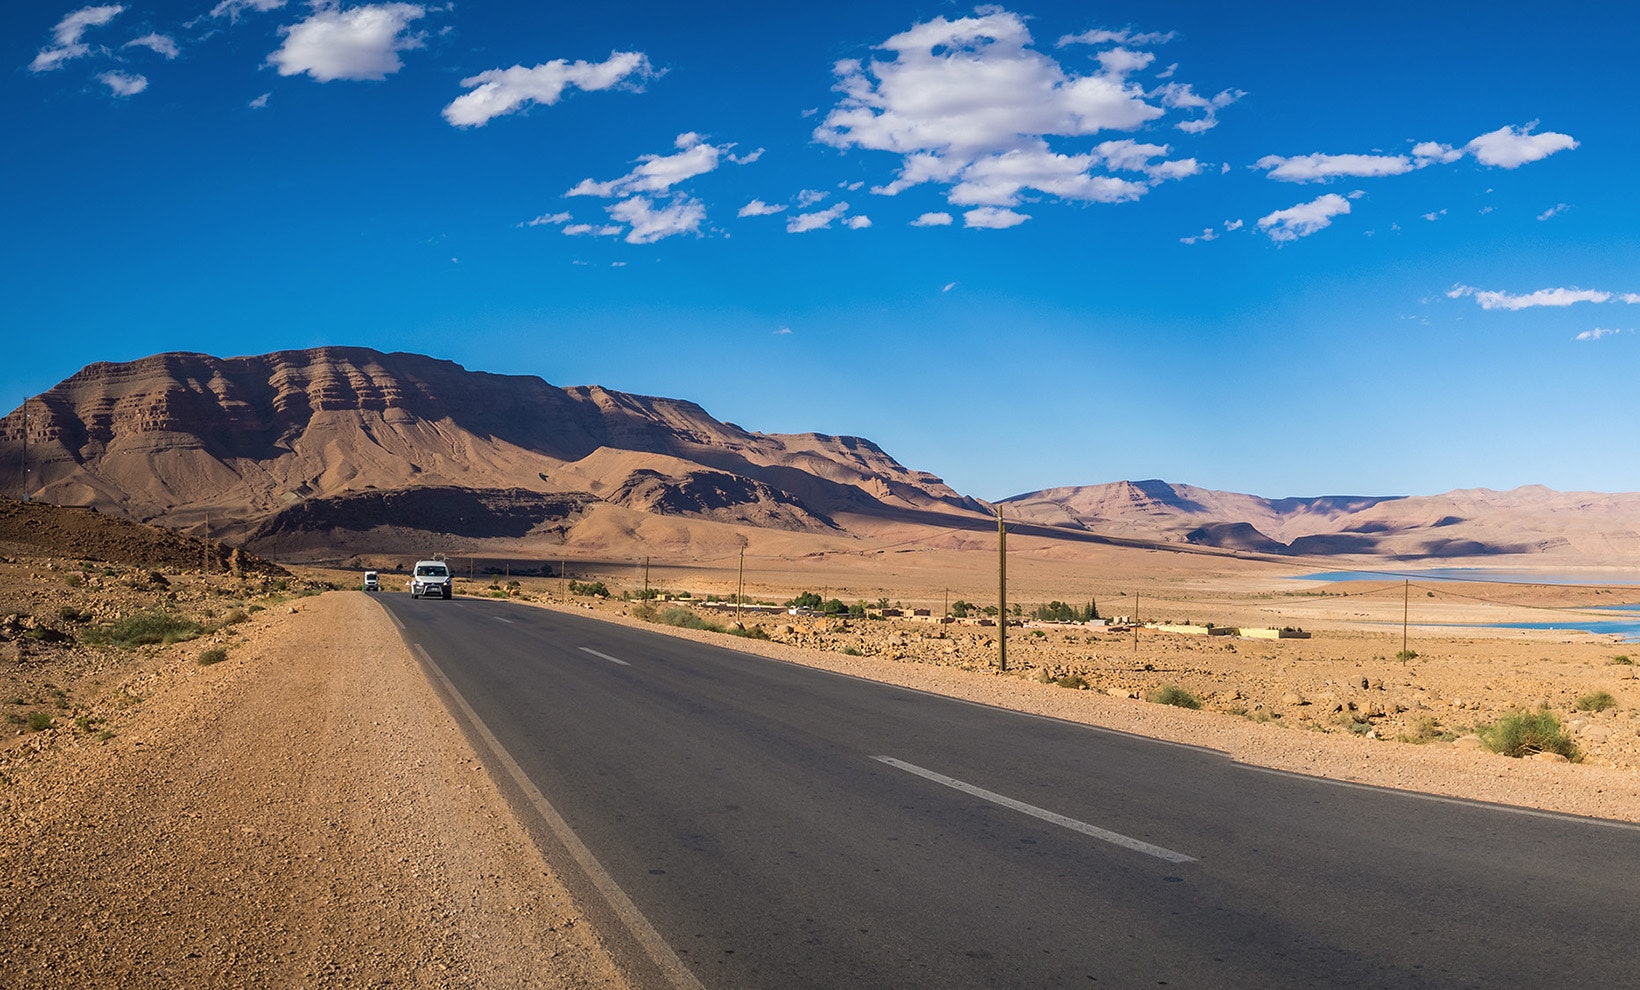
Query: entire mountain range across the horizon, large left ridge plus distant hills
x,y
348,448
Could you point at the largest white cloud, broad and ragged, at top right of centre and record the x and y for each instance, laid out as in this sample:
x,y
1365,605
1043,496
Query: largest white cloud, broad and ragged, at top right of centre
x,y
972,106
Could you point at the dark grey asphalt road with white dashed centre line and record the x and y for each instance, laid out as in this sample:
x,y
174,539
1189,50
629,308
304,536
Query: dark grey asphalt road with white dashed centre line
x,y
740,822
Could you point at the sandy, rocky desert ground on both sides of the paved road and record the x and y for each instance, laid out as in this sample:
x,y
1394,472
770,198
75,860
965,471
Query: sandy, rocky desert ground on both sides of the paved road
x,y
273,799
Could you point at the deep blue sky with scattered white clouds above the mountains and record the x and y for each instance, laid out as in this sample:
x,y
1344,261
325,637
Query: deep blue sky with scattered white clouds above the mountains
x,y
1272,248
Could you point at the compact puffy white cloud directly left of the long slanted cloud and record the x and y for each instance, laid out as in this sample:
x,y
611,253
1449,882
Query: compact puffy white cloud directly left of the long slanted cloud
x,y
358,43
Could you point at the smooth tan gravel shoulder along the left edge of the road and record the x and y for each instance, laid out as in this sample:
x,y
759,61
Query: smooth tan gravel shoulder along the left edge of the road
x,y
304,814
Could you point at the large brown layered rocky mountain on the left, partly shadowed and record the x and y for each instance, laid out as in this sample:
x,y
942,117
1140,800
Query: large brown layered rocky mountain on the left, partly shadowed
x,y
273,443
